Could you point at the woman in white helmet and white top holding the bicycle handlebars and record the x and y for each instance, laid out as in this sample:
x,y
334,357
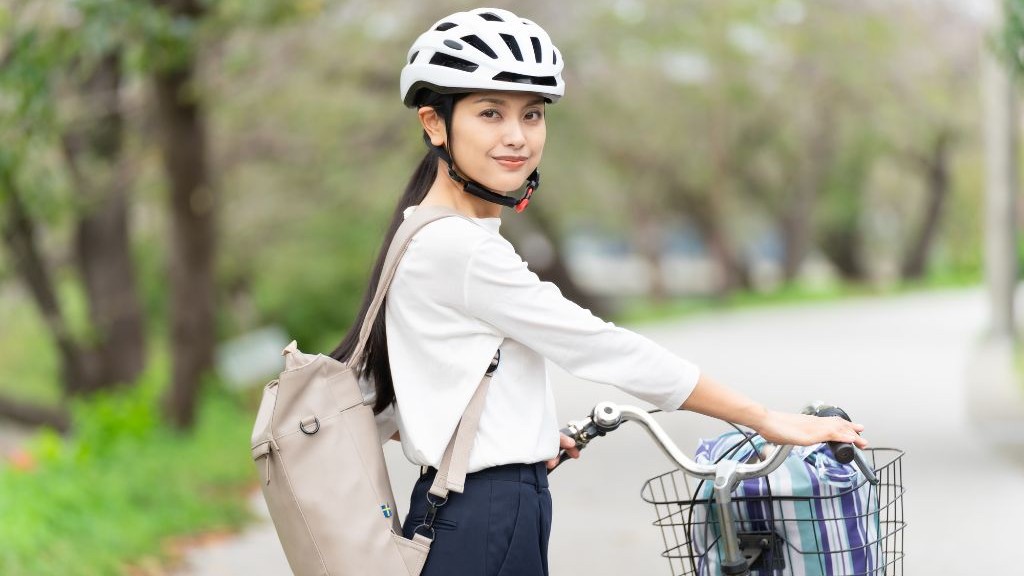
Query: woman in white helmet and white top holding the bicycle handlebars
x,y
481,83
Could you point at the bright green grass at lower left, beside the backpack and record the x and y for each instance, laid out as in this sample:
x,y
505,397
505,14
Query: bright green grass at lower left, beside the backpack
x,y
122,485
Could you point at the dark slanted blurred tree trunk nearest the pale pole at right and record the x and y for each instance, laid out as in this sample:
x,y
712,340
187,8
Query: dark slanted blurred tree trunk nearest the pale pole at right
x,y
936,172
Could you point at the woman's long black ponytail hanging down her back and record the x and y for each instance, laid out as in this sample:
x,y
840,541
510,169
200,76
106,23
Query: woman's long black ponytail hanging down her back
x,y
374,363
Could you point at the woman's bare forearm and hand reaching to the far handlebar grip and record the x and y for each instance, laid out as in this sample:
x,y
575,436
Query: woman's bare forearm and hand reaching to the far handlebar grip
x,y
713,399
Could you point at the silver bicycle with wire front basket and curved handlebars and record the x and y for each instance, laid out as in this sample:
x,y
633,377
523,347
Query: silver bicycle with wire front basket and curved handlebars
x,y
766,532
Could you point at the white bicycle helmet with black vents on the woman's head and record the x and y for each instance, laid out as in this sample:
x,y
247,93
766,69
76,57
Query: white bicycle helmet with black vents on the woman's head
x,y
484,50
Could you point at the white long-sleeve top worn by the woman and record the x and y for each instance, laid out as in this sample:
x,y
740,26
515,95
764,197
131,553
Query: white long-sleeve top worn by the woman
x,y
460,293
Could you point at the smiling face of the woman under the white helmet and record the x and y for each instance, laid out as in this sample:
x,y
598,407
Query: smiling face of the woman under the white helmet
x,y
498,138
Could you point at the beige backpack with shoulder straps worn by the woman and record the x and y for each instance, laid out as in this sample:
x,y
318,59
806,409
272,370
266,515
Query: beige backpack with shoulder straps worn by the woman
x,y
322,466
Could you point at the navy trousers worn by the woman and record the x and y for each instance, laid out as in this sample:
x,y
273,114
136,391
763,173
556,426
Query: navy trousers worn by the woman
x,y
499,526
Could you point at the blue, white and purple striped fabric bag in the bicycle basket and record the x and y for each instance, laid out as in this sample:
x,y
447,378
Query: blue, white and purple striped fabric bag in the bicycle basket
x,y
831,529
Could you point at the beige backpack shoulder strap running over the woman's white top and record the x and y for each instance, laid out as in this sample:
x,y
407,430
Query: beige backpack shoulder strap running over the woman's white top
x,y
452,473
